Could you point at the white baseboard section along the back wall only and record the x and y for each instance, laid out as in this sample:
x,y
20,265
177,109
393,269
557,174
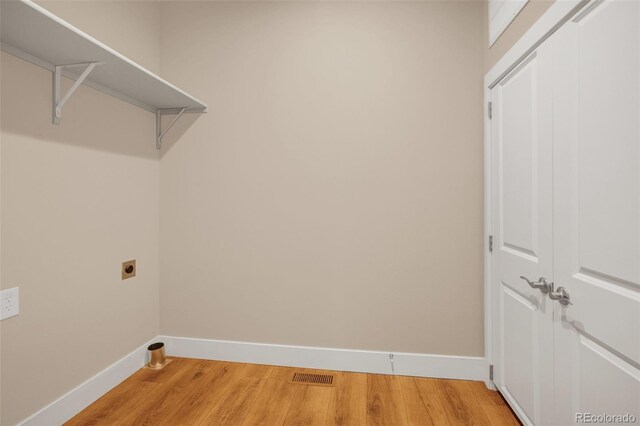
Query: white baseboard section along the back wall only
x,y
404,364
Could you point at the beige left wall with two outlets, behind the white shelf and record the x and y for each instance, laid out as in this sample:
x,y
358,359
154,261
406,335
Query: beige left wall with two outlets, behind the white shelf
x,y
76,201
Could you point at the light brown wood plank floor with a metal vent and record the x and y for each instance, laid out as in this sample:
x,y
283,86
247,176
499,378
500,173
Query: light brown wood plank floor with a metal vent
x,y
201,392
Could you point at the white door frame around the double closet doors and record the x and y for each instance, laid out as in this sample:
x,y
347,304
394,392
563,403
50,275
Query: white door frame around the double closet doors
x,y
559,13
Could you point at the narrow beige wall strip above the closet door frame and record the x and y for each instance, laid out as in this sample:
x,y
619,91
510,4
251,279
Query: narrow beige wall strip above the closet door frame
x,y
525,19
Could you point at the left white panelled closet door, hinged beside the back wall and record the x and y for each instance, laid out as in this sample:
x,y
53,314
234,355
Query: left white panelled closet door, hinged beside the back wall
x,y
522,232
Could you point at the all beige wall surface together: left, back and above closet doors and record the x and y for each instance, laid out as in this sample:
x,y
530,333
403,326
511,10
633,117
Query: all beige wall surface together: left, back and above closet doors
x,y
331,197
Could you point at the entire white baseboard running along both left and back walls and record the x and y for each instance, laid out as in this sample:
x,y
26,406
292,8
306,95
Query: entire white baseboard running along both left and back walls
x,y
404,364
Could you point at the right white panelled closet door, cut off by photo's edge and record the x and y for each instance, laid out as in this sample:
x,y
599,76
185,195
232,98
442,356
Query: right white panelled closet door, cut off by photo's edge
x,y
597,211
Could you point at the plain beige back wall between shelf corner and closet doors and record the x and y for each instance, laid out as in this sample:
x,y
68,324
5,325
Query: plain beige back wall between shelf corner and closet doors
x,y
332,195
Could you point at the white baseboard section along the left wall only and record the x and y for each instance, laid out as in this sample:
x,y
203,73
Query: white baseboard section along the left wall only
x,y
76,400
